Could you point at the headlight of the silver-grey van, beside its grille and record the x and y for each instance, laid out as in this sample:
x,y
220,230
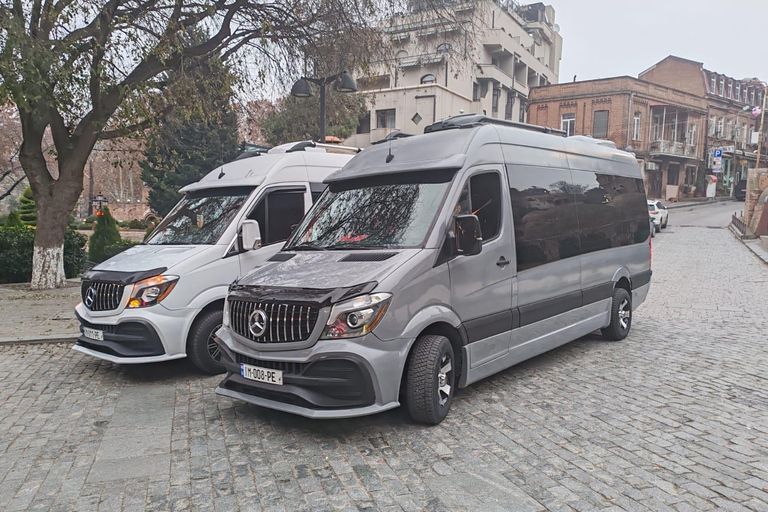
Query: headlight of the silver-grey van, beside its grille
x,y
357,316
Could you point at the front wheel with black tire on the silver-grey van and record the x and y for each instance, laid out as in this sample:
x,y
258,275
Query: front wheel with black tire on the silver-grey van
x,y
427,402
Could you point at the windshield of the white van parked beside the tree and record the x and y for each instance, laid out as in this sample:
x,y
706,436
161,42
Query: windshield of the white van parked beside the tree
x,y
200,217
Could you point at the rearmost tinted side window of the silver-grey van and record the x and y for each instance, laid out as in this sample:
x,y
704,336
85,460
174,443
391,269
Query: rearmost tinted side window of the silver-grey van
x,y
610,209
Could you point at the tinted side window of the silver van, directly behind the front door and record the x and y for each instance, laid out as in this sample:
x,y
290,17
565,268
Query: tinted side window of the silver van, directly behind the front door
x,y
544,212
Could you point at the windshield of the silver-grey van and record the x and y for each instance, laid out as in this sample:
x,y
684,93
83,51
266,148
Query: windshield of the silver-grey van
x,y
372,217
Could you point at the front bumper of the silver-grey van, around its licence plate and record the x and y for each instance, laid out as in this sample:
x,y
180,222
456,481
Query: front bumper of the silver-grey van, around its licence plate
x,y
332,379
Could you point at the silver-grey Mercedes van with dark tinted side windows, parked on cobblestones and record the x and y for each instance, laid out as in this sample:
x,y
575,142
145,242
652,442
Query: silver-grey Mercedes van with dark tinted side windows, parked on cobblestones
x,y
433,261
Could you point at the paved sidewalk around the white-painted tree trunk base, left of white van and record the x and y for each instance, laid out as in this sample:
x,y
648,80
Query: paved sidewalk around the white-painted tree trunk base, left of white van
x,y
31,316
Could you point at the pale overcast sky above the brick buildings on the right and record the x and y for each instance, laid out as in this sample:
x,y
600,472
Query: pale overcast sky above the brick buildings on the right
x,y
604,38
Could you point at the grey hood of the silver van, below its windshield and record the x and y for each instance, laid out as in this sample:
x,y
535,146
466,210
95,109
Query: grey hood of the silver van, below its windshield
x,y
327,269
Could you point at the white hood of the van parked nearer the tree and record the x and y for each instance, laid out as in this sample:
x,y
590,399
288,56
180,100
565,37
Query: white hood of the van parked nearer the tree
x,y
148,257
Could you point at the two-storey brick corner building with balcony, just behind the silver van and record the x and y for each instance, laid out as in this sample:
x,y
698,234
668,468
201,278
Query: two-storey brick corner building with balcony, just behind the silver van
x,y
664,127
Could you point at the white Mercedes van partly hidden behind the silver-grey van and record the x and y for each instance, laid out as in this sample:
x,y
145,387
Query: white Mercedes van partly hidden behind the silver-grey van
x,y
163,299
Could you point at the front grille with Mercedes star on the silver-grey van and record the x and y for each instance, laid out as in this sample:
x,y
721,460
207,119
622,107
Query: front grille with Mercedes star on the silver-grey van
x,y
277,322
